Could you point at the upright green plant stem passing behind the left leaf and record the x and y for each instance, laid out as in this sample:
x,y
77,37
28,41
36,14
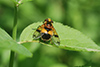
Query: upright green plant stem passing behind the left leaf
x,y
14,34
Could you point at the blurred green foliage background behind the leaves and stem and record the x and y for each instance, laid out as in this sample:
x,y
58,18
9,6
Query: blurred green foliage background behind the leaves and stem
x,y
83,15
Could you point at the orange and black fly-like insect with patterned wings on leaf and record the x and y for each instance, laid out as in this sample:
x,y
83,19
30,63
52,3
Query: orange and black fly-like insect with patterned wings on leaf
x,y
46,32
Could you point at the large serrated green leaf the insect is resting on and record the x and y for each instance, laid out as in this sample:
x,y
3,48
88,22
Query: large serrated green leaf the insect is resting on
x,y
70,38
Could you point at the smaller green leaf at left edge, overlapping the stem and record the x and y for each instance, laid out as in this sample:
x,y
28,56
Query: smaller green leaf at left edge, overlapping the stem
x,y
8,43
